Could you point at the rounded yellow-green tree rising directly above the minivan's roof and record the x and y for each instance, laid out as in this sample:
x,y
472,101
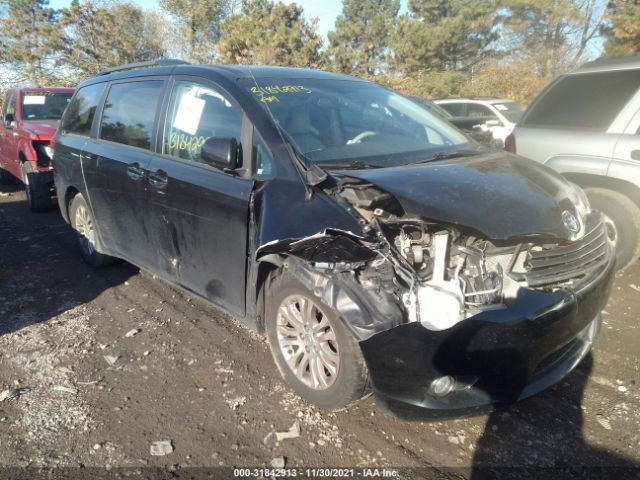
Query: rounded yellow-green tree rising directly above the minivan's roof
x,y
269,33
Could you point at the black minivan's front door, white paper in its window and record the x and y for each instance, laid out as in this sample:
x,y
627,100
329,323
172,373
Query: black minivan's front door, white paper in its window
x,y
199,213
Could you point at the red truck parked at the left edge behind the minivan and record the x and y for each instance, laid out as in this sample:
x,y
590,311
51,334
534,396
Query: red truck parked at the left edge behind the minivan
x,y
30,118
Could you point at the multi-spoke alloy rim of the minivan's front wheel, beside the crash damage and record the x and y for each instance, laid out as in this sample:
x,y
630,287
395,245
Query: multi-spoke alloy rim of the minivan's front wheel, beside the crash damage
x,y
308,342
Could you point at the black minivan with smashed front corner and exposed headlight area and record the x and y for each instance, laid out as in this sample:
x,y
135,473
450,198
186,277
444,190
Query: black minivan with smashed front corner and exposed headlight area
x,y
376,246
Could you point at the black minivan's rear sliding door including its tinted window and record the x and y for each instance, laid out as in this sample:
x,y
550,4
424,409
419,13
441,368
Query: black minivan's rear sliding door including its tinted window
x,y
115,167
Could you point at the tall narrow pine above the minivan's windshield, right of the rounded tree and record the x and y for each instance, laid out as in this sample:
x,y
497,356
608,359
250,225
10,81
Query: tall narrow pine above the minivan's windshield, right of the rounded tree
x,y
360,42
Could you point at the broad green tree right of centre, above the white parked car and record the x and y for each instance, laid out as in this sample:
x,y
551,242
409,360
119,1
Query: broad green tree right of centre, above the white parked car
x,y
444,34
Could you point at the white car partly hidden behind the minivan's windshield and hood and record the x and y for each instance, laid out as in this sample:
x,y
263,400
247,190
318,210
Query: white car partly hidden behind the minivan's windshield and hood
x,y
498,116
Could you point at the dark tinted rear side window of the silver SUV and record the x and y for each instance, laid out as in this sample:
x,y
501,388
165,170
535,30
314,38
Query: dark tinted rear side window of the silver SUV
x,y
584,102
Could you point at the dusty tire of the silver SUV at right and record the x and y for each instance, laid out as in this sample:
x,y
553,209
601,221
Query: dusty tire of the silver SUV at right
x,y
624,215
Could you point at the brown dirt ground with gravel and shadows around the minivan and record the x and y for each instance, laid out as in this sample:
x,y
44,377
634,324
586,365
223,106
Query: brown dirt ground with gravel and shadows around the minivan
x,y
93,396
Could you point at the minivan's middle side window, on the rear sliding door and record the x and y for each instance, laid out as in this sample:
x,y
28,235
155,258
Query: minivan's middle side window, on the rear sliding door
x,y
130,111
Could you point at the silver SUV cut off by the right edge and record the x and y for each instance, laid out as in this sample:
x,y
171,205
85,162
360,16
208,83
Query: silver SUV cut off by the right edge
x,y
586,125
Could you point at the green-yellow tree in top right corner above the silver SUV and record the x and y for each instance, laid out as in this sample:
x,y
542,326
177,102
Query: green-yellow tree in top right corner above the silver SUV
x,y
622,28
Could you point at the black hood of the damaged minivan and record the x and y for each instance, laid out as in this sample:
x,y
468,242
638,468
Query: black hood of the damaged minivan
x,y
501,196
